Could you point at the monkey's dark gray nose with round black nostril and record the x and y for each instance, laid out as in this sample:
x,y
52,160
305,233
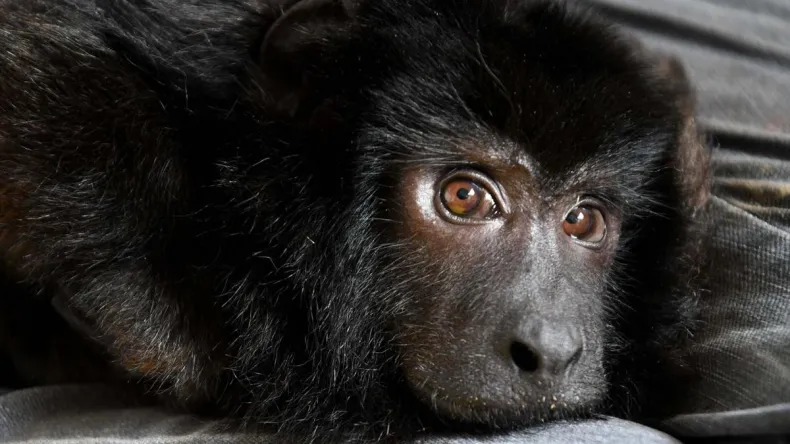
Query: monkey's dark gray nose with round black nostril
x,y
545,348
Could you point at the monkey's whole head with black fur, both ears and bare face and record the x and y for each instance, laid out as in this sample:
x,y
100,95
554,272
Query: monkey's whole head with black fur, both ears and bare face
x,y
491,207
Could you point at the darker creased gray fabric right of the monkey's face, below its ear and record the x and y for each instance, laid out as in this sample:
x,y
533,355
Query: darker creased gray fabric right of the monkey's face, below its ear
x,y
743,350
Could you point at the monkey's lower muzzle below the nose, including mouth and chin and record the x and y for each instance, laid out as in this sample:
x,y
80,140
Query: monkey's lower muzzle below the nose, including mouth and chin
x,y
476,388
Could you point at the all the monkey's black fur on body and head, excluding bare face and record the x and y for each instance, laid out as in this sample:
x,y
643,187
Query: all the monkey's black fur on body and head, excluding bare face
x,y
241,257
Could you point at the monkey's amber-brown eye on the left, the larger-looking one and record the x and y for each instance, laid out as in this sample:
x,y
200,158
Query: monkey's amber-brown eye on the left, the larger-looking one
x,y
467,198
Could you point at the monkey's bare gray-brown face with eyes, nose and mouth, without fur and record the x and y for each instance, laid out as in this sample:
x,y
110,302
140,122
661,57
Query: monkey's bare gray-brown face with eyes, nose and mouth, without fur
x,y
507,315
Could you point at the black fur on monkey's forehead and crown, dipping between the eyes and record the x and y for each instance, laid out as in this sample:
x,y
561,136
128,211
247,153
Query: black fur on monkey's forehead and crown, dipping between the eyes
x,y
515,81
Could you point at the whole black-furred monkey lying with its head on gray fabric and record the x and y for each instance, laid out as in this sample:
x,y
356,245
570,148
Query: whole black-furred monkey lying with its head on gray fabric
x,y
356,216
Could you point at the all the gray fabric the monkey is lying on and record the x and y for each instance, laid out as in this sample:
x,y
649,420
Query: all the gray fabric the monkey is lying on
x,y
738,56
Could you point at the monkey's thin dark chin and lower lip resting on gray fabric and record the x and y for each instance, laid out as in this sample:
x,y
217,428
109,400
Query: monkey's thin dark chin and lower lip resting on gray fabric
x,y
477,413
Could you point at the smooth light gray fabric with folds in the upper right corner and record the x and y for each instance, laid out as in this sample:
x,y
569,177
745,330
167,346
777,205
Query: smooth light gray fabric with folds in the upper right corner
x,y
737,53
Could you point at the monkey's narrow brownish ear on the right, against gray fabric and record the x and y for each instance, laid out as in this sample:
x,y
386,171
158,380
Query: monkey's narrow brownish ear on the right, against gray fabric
x,y
692,159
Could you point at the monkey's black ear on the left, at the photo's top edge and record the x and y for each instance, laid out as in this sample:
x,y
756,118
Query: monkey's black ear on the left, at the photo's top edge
x,y
295,46
